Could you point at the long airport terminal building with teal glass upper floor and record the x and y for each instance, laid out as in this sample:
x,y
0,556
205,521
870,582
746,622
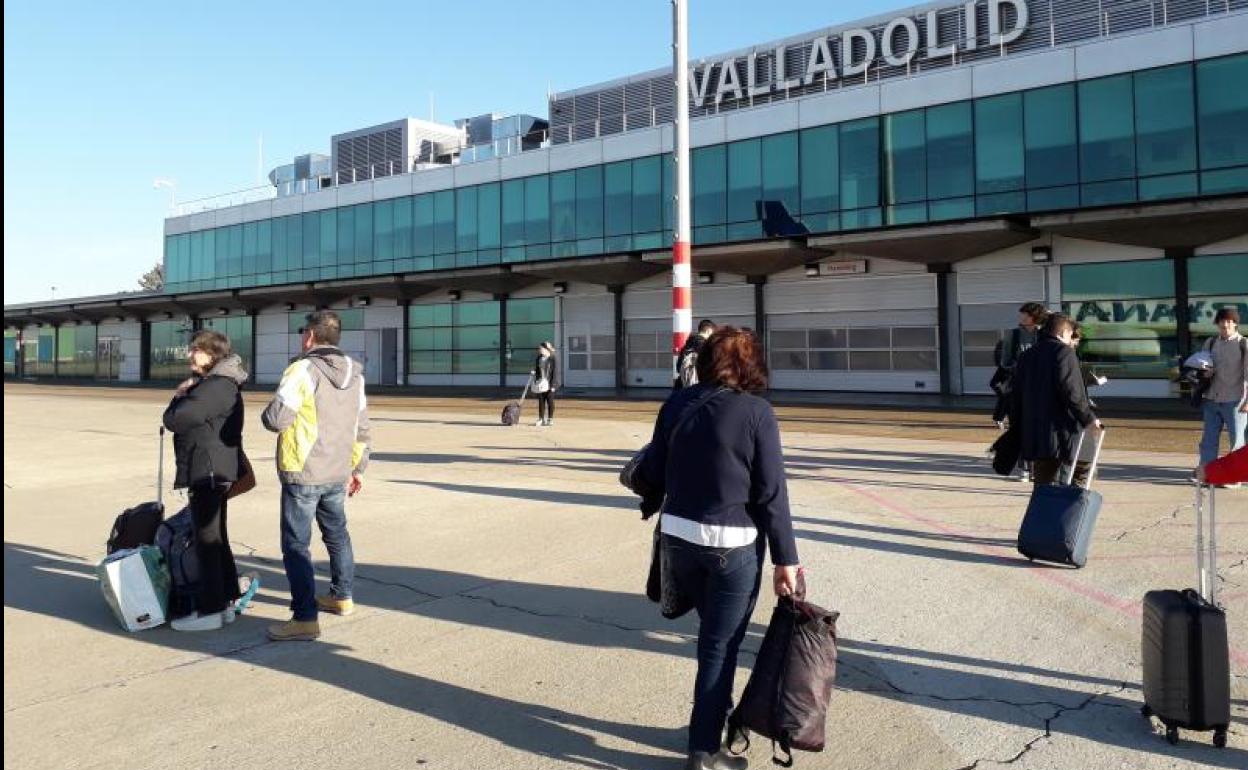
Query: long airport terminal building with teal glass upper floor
x,y
877,199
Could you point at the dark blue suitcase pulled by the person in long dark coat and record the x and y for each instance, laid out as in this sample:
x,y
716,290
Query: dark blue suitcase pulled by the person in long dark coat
x,y
1060,519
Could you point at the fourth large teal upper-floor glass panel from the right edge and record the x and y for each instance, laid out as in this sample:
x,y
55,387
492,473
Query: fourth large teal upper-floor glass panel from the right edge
x,y
1051,142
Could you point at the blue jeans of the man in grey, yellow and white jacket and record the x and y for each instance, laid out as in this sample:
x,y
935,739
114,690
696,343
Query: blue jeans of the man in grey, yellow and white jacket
x,y
301,504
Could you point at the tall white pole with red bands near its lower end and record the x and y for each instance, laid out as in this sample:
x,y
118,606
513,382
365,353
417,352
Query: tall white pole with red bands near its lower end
x,y
682,271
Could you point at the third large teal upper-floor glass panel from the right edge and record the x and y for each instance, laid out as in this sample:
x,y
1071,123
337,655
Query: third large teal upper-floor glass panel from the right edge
x,y
1108,142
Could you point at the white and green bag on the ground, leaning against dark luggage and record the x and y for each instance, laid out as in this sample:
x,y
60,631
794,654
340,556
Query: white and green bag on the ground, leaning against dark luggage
x,y
135,585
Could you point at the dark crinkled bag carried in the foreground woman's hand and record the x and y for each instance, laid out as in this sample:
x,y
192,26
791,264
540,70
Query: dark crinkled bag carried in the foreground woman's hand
x,y
788,693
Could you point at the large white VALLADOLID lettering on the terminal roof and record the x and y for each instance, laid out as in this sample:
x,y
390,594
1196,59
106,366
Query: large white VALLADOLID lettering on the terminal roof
x,y
854,52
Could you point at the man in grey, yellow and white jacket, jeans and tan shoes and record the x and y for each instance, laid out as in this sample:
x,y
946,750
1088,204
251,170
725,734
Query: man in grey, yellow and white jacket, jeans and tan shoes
x,y
321,416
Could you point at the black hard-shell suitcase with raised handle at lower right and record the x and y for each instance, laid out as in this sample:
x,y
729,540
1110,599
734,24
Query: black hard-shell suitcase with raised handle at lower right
x,y
1185,651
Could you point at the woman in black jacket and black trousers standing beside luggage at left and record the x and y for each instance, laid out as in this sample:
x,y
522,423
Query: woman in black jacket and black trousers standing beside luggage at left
x,y
207,420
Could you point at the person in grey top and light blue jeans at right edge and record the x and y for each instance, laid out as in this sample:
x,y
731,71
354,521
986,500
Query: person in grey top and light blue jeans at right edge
x,y
1226,401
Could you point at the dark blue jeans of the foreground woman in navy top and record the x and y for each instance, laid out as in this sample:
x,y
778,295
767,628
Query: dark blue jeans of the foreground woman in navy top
x,y
724,585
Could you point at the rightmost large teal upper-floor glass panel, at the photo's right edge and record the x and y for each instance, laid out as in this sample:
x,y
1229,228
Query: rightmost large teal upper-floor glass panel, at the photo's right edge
x,y
1222,94
